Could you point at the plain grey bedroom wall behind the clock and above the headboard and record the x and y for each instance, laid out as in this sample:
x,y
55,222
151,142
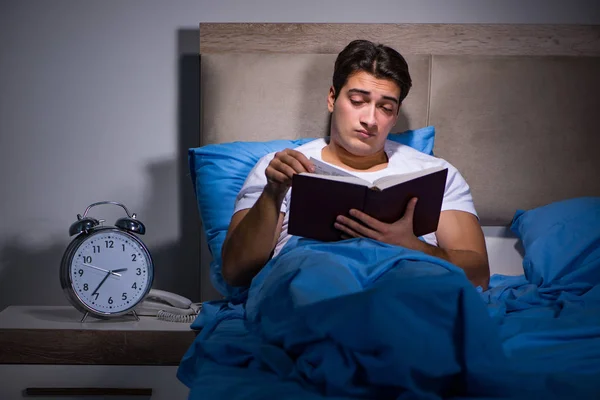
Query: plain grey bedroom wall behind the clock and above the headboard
x,y
98,100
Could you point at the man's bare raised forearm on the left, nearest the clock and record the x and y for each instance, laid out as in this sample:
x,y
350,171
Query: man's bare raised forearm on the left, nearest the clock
x,y
250,240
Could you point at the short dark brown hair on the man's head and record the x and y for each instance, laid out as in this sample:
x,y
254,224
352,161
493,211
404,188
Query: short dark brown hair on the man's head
x,y
378,60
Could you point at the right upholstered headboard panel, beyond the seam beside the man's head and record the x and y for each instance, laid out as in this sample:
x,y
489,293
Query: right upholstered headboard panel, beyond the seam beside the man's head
x,y
522,130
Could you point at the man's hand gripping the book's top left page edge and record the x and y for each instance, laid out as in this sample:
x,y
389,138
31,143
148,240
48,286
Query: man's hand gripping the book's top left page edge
x,y
283,167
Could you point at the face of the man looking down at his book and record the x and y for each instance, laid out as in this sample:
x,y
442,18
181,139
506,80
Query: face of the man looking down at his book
x,y
364,113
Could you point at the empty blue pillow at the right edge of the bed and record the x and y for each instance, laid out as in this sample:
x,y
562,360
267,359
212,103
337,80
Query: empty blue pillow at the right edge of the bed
x,y
561,241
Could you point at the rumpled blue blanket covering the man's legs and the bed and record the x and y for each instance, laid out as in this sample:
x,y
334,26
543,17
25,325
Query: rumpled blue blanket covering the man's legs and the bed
x,y
361,319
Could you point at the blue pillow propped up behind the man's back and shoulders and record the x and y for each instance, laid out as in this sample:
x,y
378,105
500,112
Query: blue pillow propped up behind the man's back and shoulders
x,y
218,172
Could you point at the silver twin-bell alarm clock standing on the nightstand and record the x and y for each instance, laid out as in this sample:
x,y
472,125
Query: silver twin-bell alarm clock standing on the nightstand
x,y
106,270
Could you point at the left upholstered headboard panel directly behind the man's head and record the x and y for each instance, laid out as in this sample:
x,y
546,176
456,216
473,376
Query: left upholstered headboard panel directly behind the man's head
x,y
249,97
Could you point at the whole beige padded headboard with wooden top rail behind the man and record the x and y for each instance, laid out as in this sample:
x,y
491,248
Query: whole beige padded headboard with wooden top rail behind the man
x,y
515,107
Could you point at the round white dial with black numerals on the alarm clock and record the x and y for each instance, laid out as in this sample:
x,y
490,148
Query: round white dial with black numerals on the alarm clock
x,y
110,271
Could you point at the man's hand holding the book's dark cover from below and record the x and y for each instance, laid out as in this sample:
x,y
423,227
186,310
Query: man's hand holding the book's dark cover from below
x,y
399,233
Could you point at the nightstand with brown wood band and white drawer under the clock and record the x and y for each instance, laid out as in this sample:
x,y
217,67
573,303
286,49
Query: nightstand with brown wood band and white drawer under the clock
x,y
46,351
